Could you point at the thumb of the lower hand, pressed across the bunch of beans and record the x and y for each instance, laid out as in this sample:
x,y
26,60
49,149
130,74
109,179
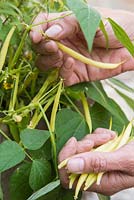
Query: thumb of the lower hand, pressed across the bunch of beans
x,y
99,162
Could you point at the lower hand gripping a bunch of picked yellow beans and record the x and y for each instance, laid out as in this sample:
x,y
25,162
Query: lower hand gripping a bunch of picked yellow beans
x,y
118,165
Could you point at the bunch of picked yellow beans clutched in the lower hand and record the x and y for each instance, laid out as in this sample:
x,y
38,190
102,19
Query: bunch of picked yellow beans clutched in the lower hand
x,y
89,179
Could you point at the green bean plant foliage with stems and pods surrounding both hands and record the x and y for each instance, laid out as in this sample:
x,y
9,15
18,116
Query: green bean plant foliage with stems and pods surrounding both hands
x,y
37,113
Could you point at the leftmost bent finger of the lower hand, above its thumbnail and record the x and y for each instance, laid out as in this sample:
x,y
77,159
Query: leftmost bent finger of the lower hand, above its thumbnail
x,y
68,150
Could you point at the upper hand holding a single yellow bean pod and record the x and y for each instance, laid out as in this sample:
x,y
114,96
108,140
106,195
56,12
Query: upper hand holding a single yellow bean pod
x,y
67,31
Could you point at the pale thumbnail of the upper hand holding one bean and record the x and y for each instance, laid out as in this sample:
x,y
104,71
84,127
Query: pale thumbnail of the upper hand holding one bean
x,y
53,31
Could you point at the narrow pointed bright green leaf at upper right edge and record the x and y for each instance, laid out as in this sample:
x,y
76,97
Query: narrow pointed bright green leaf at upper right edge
x,y
122,36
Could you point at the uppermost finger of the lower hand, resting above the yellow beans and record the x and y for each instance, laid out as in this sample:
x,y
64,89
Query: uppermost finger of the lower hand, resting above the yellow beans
x,y
100,136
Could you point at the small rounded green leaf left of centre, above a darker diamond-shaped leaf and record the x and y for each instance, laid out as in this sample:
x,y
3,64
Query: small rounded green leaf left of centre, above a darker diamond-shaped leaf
x,y
33,138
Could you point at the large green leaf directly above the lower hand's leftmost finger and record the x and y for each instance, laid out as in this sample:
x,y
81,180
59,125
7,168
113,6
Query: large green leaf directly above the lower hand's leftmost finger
x,y
68,124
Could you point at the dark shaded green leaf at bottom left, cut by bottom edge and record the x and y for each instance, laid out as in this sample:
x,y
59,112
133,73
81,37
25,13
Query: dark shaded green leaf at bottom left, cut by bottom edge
x,y
19,183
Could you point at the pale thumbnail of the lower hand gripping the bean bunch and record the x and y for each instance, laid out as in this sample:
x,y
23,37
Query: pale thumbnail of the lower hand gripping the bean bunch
x,y
75,165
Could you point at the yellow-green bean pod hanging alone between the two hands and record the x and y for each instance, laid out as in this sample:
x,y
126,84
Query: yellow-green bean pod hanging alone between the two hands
x,y
86,111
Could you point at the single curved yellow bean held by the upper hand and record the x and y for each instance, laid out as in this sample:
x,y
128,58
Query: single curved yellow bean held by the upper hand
x,y
86,60
